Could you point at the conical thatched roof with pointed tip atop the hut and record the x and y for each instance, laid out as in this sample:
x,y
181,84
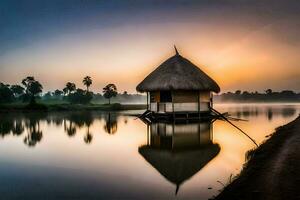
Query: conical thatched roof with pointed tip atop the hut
x,y
177,73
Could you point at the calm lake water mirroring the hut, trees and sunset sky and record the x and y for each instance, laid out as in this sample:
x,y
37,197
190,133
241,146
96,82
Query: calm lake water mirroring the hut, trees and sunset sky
x,y
92,155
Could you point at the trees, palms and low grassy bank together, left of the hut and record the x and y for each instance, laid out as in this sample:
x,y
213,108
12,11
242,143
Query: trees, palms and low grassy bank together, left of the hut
x,y
30,98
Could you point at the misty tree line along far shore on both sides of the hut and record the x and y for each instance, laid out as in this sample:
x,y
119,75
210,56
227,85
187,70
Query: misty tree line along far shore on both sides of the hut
x,y
30,89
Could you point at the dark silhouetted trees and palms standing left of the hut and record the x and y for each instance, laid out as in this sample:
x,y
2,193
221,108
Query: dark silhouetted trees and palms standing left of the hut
x,y
31,89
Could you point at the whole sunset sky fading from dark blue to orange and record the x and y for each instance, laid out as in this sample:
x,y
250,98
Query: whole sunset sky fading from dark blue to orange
x,y
242,44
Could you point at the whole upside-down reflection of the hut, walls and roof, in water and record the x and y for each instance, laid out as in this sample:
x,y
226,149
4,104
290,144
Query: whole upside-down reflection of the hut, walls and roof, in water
x,y
179,151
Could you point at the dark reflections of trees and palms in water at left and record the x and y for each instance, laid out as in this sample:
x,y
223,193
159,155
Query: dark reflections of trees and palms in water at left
x,y
72,122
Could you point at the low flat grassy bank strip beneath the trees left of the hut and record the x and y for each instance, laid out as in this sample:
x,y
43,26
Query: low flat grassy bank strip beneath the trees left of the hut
x,y
70,107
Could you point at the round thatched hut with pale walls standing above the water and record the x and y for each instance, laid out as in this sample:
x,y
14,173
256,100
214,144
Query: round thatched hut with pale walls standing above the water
x,y
178,86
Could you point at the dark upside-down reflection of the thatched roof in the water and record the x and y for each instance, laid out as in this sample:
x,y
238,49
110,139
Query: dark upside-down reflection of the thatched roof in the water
x,y
177,167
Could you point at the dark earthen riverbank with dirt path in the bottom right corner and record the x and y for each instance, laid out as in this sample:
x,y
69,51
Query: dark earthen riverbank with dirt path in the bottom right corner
x,y
272,171
